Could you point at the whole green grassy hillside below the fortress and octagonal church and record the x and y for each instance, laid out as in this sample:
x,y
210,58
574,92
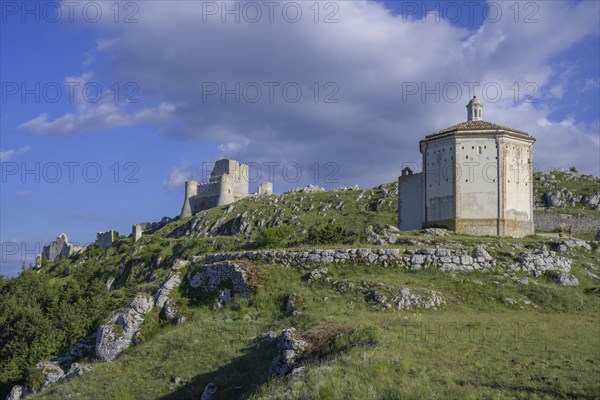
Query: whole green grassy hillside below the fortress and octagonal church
x,y
494,338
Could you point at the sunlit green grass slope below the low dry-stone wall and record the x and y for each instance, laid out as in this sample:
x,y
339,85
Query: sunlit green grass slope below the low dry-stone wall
x,y
476,347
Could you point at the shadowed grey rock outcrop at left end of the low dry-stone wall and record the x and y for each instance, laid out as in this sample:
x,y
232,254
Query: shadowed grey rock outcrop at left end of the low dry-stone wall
x,y
217,276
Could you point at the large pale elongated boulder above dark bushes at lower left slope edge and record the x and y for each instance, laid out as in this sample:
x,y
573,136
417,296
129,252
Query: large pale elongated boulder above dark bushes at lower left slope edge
x,y
122,328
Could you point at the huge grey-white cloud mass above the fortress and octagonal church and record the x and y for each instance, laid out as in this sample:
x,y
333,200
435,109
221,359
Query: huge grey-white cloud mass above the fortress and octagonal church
x,y
372,84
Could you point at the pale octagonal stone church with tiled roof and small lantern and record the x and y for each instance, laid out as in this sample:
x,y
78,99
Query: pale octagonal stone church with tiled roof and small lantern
x,y
476,179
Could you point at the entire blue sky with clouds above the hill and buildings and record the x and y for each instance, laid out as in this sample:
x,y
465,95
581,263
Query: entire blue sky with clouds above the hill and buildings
x,y
355,122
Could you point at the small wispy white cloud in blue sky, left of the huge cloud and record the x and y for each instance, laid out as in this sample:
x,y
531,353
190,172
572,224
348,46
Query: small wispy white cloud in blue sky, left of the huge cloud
x,y
94,110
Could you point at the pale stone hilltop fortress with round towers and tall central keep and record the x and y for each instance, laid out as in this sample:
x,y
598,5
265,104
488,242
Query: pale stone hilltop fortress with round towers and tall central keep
x,y
229,182
